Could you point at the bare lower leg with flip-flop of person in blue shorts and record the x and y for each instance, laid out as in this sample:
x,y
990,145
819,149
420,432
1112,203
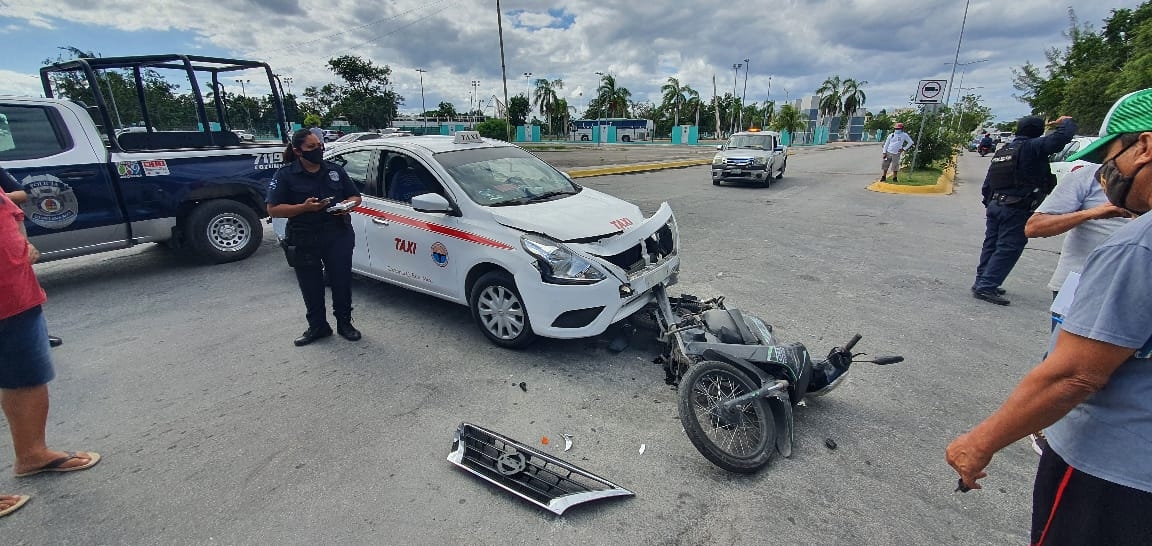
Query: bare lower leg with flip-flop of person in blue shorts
x,y
27,411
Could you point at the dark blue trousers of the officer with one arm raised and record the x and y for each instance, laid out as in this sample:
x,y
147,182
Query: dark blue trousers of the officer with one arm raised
x,y
1004,244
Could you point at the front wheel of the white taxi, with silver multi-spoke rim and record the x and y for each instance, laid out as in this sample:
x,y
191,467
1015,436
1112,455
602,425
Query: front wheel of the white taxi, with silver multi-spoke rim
x,y
499,312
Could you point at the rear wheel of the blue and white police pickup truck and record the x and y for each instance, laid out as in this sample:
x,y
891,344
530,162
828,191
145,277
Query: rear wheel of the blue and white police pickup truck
x,y
223,231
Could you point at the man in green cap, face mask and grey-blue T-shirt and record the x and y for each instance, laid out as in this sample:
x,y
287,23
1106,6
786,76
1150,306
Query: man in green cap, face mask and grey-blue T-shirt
x,y
1092,395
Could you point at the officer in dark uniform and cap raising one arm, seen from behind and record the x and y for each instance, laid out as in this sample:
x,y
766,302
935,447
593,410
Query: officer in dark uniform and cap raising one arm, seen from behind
x,y
1018,181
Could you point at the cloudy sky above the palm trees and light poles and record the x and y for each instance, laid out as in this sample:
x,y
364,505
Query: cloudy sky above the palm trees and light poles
x,y
792,45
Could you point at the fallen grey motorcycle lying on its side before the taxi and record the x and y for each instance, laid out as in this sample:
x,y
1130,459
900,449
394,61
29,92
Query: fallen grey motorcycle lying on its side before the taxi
x,y
738,384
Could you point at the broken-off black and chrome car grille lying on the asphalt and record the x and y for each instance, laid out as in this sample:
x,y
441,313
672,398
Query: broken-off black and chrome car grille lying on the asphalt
x,y
537,477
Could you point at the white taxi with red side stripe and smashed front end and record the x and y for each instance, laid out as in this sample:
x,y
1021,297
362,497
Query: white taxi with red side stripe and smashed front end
x,y
488,225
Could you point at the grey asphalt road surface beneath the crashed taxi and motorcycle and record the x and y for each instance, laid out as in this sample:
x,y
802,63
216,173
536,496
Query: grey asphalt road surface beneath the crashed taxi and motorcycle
x,y
216,430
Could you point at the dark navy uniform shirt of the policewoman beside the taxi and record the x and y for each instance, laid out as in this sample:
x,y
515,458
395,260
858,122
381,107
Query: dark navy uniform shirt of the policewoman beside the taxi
x,y
293,186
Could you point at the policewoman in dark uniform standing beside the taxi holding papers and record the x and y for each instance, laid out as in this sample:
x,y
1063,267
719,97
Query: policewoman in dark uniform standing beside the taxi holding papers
x,y
320,234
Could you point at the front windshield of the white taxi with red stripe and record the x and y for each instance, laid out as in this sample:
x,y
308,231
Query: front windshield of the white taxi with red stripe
x,y
504,177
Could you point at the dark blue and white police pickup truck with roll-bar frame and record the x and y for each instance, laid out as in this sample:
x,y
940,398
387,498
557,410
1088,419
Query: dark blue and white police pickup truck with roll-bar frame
x,y
95,185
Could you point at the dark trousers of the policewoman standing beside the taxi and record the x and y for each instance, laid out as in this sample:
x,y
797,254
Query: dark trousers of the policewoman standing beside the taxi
x,y
332,253
